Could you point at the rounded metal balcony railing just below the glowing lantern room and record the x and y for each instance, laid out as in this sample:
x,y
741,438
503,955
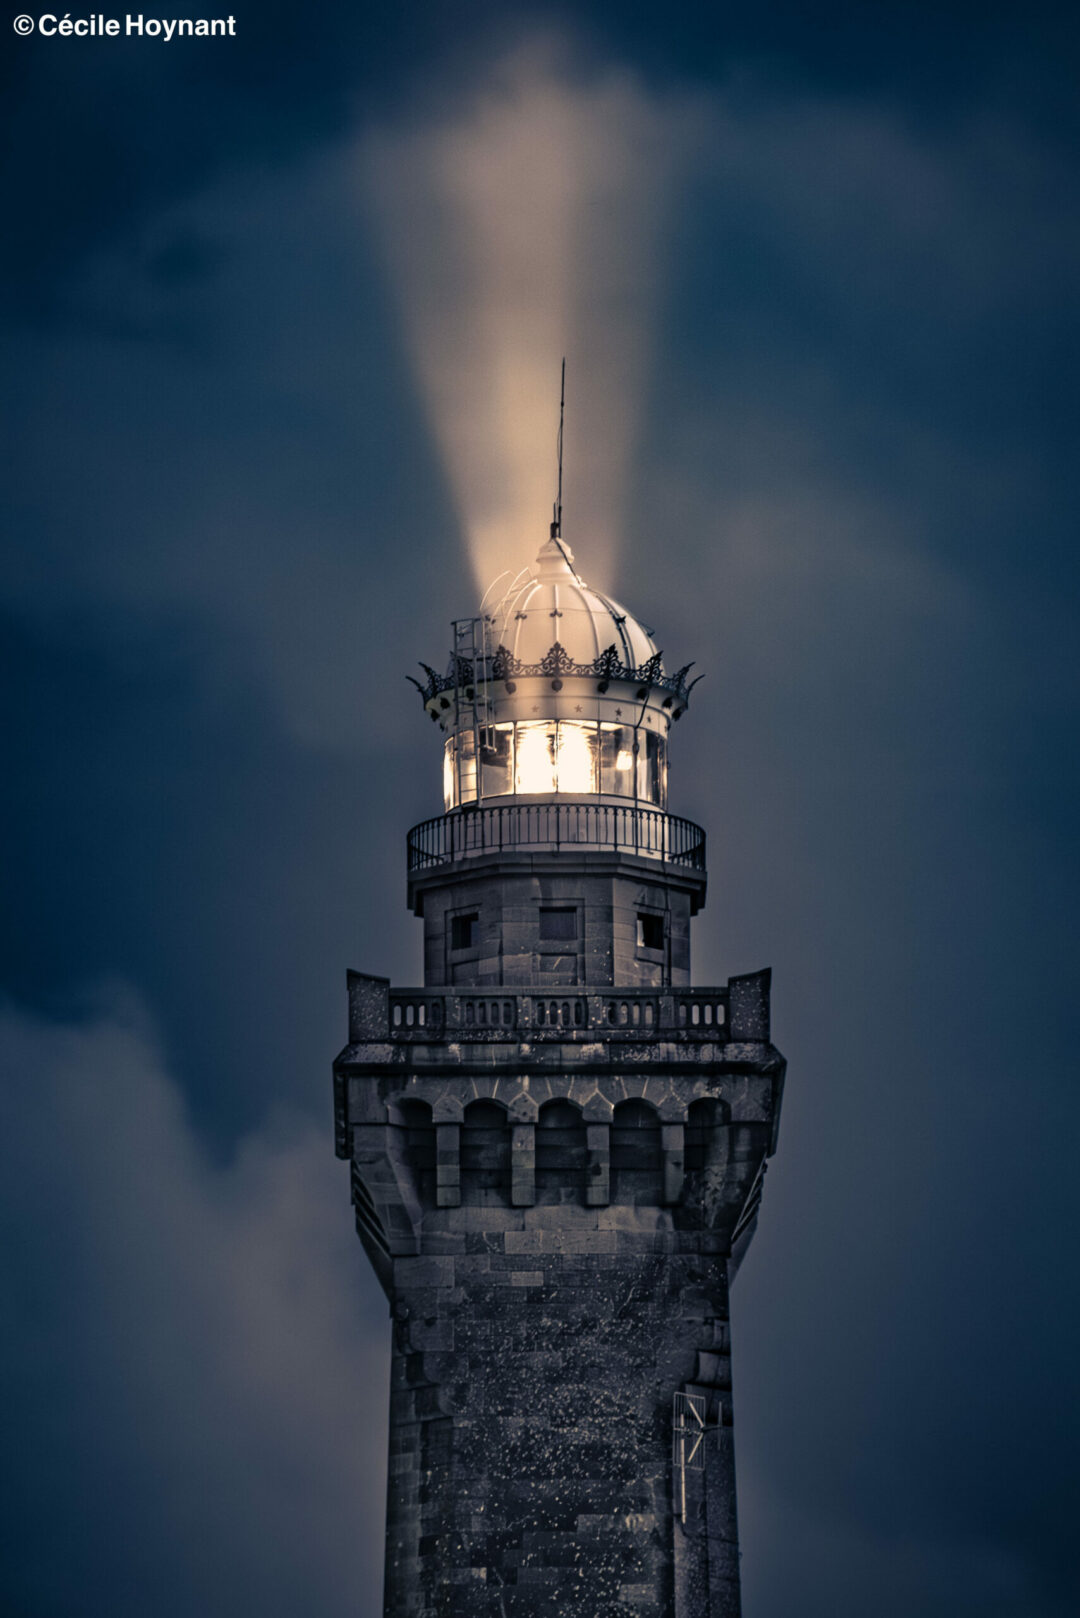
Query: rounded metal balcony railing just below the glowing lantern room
x,y
467,832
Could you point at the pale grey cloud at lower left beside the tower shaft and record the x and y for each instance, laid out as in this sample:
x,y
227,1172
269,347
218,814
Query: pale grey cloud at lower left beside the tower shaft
x,y
189,1349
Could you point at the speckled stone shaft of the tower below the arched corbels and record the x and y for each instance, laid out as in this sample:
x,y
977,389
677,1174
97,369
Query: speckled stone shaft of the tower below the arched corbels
x,y
535,1360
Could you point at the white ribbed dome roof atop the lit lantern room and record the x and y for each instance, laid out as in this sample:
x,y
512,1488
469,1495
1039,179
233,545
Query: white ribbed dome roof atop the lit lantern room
x,y
556,604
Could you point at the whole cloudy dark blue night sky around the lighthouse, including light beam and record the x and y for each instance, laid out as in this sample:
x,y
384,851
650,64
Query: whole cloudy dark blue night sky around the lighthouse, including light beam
x,y
274,310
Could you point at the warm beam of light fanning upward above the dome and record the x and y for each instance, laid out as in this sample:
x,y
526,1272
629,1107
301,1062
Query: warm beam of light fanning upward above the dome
x,y
521,227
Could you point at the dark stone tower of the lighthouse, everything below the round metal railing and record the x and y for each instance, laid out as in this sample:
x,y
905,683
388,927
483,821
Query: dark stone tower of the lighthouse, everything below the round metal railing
x,y
556,1146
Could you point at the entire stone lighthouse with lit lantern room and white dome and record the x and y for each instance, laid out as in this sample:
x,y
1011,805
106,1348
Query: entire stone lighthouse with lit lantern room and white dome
x,y
558,1143
